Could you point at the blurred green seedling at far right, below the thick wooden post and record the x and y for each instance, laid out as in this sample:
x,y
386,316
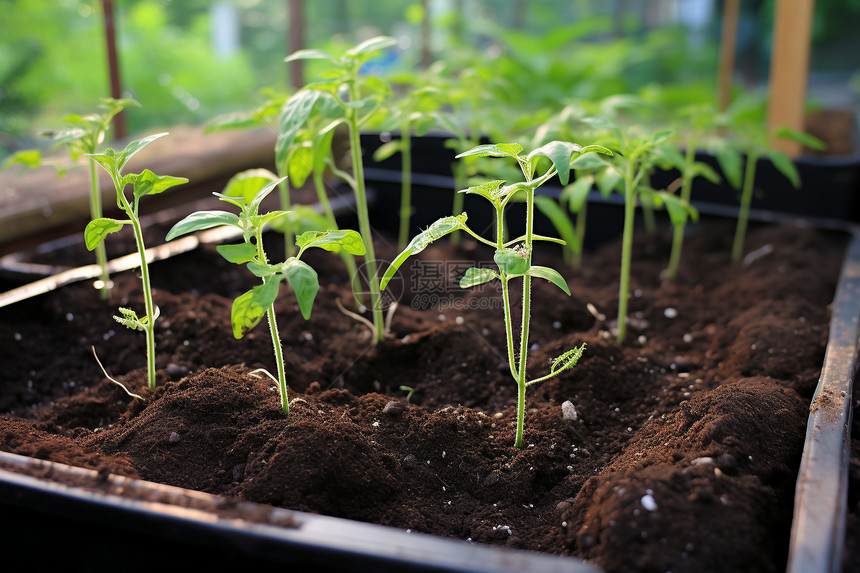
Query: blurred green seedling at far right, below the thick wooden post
x,y
749,138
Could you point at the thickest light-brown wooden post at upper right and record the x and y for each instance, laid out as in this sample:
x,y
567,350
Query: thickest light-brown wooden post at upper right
x,y
789,70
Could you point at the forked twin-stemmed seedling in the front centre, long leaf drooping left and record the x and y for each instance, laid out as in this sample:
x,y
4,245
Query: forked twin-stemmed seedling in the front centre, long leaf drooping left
x,y
513,258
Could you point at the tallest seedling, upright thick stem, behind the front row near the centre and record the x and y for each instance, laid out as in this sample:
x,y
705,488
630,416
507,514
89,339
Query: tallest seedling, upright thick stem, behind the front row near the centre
x,y
359,98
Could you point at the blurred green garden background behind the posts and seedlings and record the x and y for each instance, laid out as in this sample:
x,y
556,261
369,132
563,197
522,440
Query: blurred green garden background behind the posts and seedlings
x,y
189,60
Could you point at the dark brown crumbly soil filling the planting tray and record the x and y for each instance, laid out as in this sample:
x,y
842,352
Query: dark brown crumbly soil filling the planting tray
x,y
683,456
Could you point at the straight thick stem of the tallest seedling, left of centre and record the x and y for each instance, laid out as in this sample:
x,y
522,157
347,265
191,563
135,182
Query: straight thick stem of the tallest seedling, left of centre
x,y
364,219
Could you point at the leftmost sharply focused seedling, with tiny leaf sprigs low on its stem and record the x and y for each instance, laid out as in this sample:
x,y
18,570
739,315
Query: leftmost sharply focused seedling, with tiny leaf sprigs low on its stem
x,y
143,184
